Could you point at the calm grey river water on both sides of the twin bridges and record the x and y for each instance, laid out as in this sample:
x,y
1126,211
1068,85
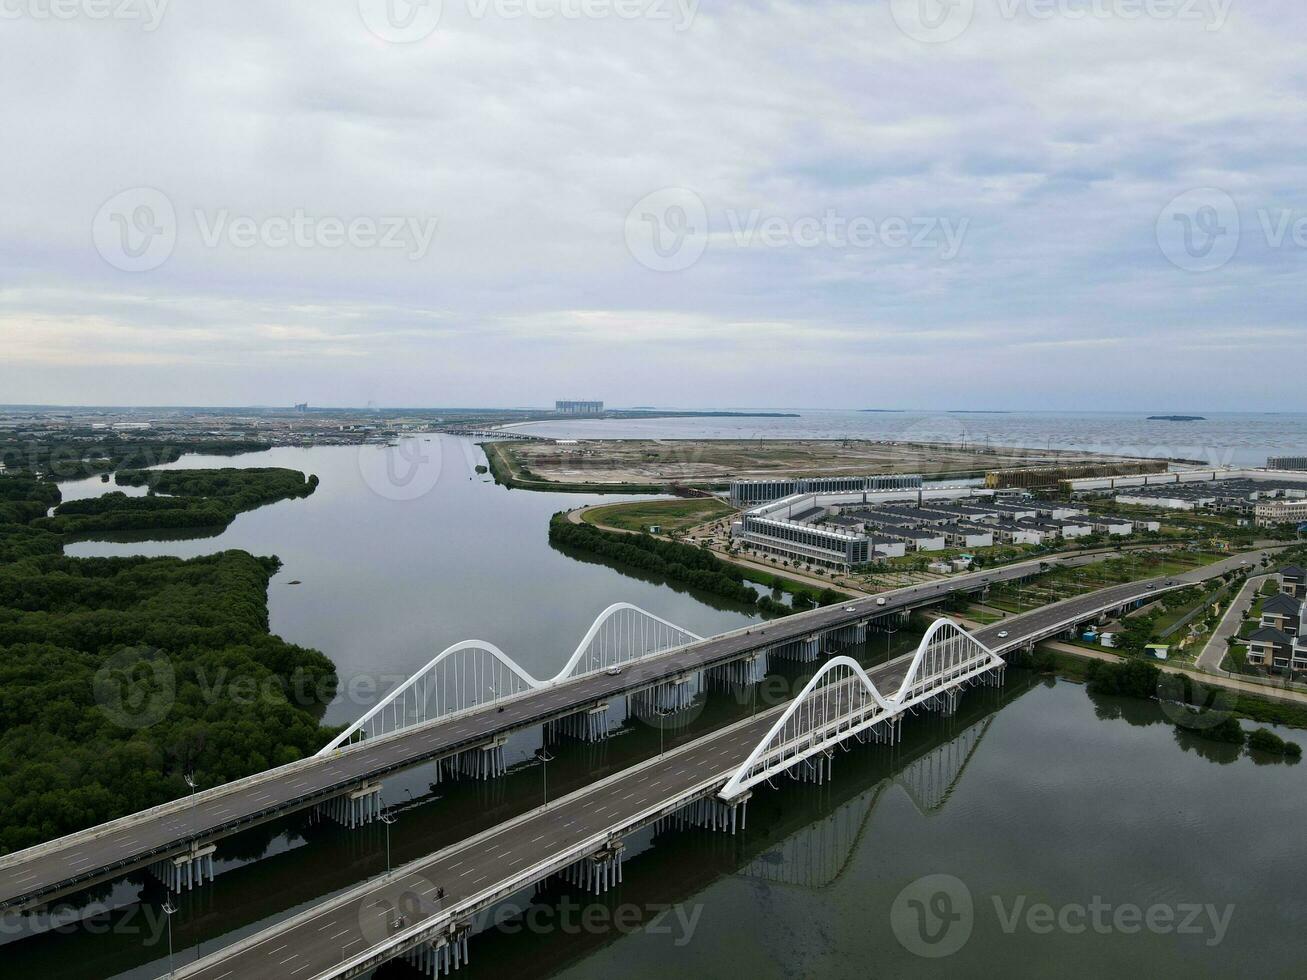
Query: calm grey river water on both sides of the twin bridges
x,y
1038,833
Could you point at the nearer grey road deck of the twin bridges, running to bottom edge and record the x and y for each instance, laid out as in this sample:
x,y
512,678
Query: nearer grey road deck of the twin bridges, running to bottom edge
x,y
479,871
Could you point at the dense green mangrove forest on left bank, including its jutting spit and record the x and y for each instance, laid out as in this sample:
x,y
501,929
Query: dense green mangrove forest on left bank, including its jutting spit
x,y
120,676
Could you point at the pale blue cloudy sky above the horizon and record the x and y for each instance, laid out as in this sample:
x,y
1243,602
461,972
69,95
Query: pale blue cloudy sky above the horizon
x,y
1066,204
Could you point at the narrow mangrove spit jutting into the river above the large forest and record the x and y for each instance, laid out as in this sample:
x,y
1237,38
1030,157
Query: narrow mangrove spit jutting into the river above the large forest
x,y
188,498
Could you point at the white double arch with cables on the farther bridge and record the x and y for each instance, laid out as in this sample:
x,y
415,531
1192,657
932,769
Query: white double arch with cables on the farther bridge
x,y
474,675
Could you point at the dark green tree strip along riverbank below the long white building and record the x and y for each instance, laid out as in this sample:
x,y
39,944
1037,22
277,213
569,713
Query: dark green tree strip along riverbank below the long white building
x,y
696,568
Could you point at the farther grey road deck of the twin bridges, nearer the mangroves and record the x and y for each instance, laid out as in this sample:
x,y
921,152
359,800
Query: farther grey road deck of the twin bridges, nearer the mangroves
x,y
41,874
